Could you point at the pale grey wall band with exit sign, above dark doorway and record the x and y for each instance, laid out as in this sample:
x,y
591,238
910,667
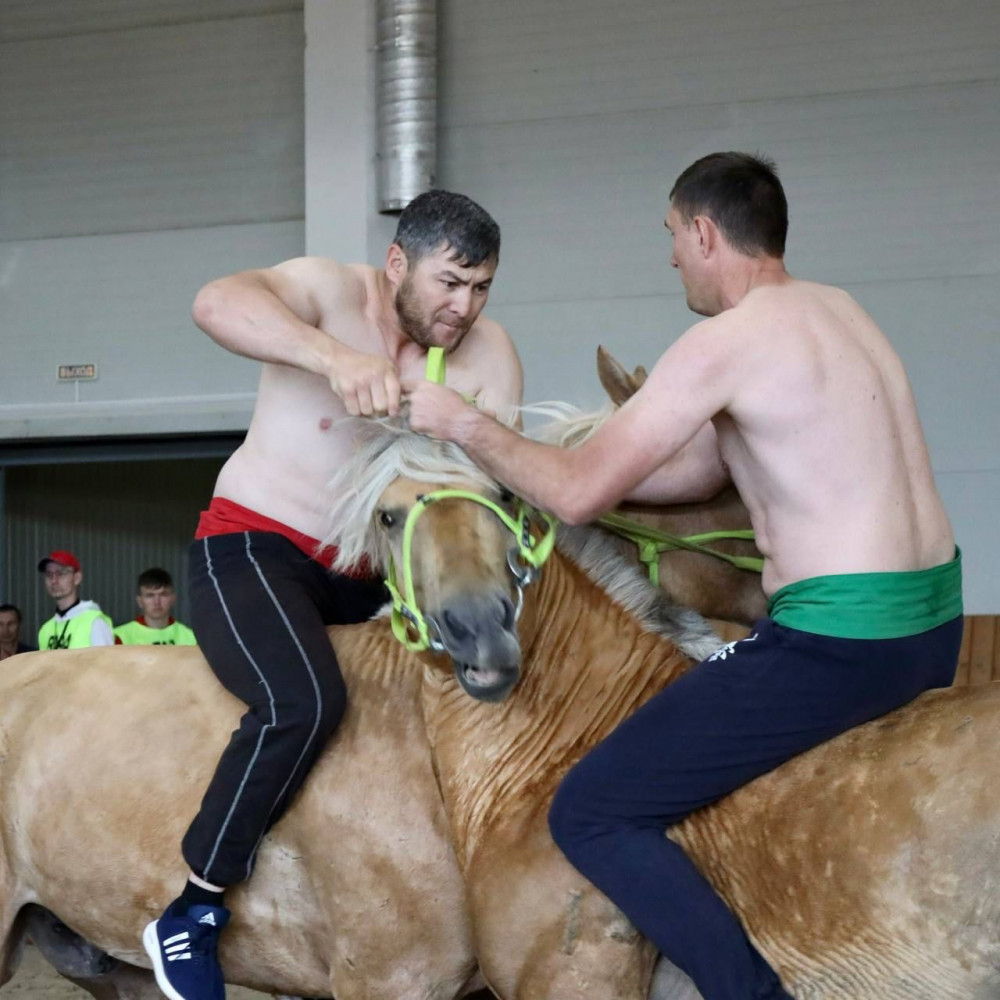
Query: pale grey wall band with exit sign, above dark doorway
x,y
124,302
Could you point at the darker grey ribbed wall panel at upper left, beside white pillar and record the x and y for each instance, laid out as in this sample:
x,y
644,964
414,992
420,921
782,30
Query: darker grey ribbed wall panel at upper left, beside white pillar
x,y
179,126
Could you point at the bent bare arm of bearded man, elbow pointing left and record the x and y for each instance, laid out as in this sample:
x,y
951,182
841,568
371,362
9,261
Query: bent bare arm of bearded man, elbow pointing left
x,y
274,314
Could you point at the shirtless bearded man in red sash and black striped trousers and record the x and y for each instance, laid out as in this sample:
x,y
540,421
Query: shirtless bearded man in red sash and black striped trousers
x,y
335,340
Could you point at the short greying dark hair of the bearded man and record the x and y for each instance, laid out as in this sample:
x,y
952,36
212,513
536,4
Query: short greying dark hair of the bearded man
x,y
438,219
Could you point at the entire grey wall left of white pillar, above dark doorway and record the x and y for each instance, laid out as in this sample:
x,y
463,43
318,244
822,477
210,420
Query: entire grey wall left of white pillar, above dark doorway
x,y
145,148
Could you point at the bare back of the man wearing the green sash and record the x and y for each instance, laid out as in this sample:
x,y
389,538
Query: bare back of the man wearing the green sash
x,y
821,437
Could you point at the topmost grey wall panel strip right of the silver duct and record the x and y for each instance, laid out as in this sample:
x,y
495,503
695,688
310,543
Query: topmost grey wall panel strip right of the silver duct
x,y
525,60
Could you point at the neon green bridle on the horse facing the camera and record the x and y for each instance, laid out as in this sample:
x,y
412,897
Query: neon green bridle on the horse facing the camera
x,y
524,559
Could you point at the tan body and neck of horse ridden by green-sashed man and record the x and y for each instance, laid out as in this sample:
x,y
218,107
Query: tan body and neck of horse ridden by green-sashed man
x,y
868,867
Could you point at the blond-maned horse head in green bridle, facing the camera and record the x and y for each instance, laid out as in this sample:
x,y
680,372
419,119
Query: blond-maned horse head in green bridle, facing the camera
x,y
455,572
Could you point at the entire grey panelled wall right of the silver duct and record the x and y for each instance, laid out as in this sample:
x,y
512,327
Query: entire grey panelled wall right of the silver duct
x,y
570,120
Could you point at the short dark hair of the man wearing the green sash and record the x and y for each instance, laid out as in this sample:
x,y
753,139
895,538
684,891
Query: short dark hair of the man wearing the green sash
x,y
742,195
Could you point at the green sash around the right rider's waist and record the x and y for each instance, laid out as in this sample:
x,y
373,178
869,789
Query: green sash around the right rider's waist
x,y
872,605
